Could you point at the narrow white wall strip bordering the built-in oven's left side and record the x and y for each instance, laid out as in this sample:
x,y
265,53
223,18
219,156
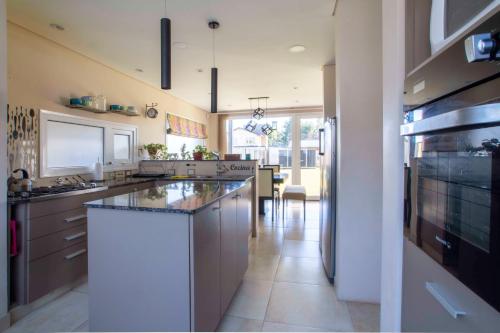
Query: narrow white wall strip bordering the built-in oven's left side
x,y
393,30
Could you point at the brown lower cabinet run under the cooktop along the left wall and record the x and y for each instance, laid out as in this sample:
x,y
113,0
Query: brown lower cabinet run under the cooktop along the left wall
x,y
52,242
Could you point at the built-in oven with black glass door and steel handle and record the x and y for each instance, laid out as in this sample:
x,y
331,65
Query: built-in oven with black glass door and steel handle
x,y
451,137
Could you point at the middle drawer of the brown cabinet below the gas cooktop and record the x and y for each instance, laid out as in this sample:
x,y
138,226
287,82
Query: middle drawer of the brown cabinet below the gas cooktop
x,y
46,245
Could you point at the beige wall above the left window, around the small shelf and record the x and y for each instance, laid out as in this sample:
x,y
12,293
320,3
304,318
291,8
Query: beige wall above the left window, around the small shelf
x,y
42,74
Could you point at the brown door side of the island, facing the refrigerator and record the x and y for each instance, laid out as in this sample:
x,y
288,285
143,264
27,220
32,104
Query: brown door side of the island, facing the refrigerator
x,y
220,237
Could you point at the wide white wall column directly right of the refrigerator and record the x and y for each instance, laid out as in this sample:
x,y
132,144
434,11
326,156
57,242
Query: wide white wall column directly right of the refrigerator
x,y
358,48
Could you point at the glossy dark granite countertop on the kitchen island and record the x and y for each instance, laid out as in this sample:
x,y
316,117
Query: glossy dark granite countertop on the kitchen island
x,y
182,197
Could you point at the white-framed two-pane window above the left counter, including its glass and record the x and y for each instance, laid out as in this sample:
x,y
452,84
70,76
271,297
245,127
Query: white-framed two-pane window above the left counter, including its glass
x,y
71,145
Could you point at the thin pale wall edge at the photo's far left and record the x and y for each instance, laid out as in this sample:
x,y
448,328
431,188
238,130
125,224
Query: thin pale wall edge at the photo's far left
x,y
3,166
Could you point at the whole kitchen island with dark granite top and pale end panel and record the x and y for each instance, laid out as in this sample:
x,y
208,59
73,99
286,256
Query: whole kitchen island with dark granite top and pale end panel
x,y
167,258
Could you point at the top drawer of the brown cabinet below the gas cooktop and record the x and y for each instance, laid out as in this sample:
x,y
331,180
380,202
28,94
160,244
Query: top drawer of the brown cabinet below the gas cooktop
x,y
49,224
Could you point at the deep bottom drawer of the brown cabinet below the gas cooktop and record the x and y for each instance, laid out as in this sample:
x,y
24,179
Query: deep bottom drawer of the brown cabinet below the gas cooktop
x,y
56,270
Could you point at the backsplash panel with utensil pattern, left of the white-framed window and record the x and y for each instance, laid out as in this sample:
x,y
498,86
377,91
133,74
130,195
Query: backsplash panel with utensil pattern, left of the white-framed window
x,y
22,139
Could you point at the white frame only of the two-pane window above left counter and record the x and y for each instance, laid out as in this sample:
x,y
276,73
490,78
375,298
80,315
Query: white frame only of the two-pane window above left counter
x,y
110,128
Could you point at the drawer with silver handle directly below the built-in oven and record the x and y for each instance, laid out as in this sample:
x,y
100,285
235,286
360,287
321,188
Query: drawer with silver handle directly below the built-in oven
x,y
429,309
